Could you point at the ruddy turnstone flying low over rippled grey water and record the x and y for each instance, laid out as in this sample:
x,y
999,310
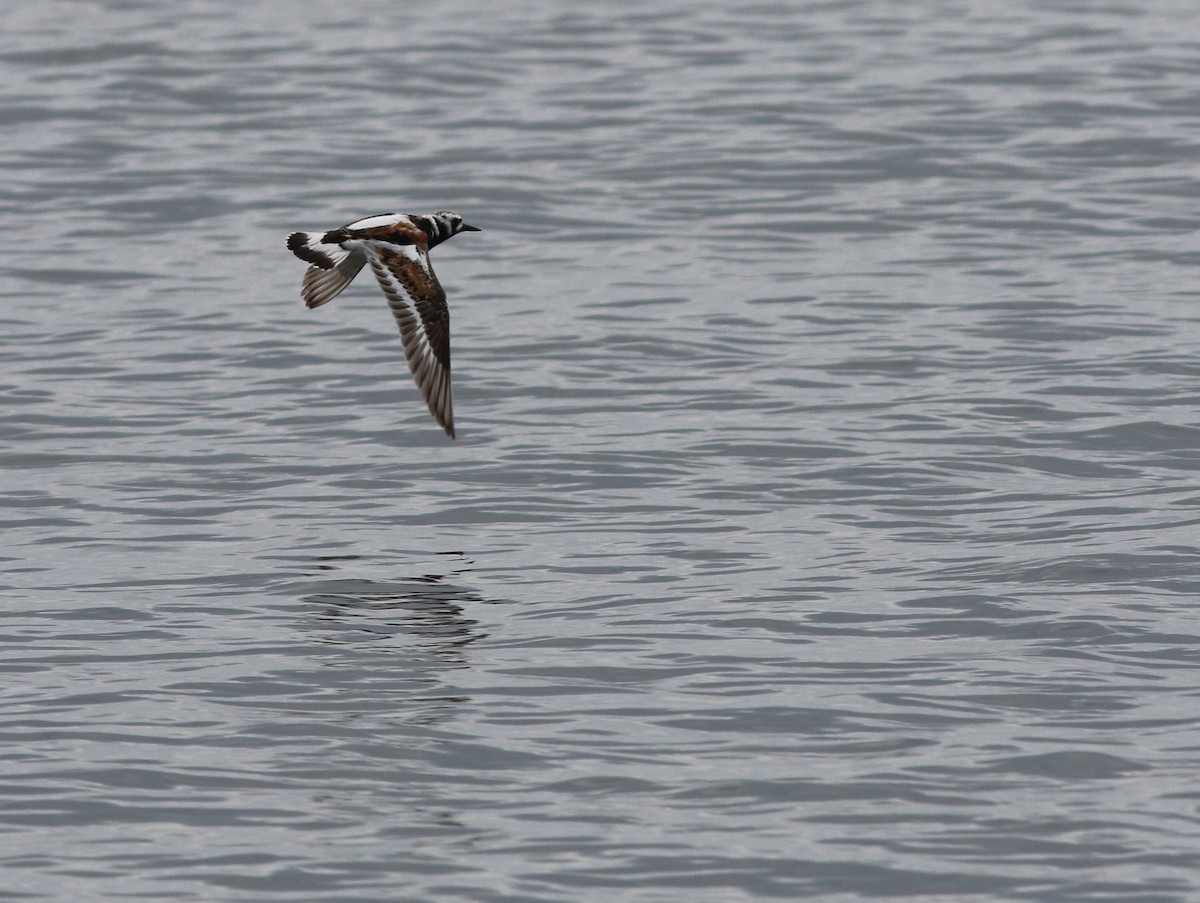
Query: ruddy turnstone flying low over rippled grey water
x,y
398,248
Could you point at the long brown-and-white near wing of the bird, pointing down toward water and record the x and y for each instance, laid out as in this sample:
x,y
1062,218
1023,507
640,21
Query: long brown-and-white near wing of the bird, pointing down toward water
x,y
419,306
